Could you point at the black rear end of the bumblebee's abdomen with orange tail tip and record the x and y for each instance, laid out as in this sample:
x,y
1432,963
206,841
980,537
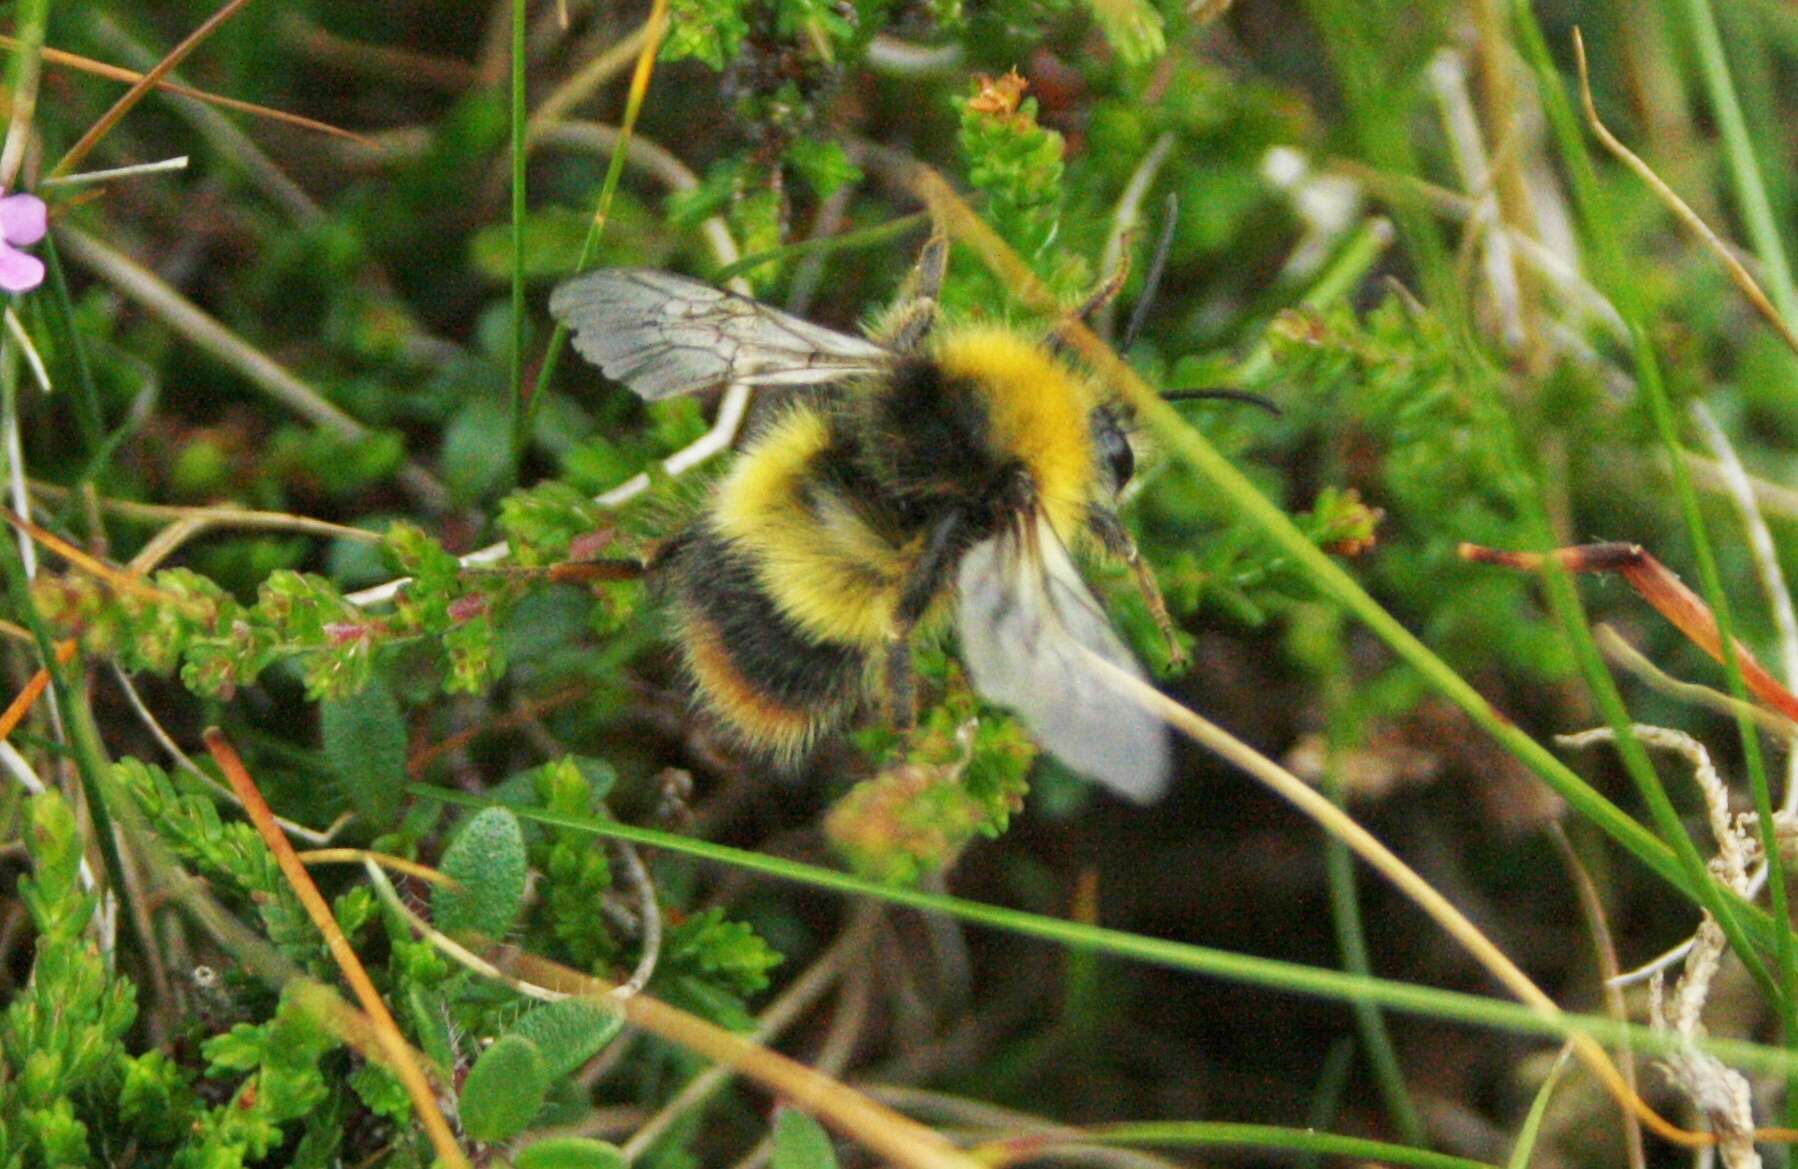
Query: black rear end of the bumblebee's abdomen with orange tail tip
x,y
770,684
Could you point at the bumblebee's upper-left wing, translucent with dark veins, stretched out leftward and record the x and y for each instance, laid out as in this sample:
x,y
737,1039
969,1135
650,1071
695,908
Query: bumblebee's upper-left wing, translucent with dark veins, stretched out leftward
x,y
664,335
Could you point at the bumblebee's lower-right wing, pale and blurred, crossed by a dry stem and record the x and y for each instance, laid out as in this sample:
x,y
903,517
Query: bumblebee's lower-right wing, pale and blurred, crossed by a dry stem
x,y
1028,627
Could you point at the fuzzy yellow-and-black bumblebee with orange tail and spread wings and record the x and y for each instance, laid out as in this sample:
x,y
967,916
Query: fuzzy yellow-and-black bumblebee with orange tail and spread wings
x,y
929,467
